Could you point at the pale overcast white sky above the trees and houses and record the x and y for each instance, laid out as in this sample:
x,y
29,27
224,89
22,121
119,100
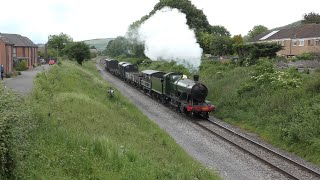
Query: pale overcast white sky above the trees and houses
x,y
90,19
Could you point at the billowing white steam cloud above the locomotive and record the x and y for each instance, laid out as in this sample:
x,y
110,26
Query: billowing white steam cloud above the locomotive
x,y
167,36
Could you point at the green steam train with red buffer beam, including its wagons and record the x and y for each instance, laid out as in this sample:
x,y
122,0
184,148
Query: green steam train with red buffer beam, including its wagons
x,y
185,95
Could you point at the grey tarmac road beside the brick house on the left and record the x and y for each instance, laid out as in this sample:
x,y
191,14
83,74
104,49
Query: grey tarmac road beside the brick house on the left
x,y
23,83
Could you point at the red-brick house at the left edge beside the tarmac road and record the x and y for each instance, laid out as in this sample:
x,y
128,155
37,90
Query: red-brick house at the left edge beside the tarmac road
x,y
14,48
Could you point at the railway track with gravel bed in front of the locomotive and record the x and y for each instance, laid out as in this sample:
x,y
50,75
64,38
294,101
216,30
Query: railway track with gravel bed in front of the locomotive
x,y
265,152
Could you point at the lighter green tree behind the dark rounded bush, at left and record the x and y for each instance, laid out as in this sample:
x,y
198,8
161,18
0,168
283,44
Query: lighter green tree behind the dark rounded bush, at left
x,y
59,42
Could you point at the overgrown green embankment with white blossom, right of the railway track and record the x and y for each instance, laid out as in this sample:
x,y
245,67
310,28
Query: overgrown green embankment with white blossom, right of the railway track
x,y
280,105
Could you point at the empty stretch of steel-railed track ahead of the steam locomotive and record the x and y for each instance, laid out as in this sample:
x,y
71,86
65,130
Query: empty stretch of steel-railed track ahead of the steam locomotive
x,y
282,163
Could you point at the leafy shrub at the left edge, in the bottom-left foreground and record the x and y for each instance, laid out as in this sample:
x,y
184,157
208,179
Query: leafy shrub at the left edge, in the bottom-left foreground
x,y
14,126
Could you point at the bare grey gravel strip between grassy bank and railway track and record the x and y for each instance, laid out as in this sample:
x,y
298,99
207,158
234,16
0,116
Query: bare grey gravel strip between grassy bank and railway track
x,y
208,149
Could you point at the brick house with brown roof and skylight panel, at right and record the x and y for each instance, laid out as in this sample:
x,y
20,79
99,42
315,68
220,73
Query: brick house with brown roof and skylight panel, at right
x,y
295,40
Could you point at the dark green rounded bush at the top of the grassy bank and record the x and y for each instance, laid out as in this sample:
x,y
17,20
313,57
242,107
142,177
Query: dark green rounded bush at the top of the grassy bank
x,y
78,51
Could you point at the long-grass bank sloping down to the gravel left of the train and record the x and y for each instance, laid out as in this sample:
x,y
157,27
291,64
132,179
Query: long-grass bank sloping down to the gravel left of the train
x,y
81,133
